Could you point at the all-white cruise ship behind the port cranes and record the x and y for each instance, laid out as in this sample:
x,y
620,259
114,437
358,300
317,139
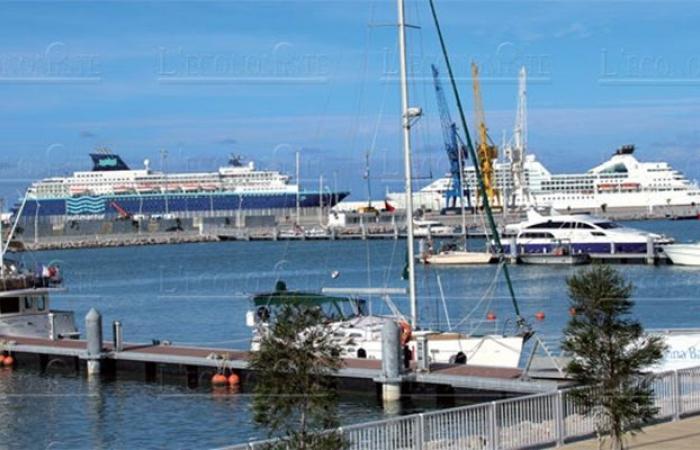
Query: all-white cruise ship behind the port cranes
x,y
620,183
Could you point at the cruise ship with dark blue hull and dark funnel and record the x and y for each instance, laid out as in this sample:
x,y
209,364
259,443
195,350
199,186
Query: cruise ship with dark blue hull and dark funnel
x,y
112,190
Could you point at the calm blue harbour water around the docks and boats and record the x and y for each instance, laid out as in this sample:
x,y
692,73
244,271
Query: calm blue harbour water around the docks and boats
x,y
198,294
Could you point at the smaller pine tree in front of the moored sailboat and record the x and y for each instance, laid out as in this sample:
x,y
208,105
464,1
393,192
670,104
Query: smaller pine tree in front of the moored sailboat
x,y
295,395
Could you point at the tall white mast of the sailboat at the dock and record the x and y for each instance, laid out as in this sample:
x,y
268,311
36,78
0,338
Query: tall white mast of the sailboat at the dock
x,y
407,114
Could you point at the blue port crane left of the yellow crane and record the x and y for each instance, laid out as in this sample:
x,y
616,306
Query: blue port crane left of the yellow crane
x,y
455,150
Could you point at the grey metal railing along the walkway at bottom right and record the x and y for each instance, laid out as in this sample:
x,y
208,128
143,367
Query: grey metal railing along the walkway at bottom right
x,y
540,420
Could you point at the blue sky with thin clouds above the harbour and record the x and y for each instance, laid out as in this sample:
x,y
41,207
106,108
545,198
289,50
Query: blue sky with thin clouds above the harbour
x,y
266,79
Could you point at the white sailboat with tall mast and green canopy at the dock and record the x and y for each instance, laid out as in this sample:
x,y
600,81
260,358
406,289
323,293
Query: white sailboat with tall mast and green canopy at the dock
x,y
358,332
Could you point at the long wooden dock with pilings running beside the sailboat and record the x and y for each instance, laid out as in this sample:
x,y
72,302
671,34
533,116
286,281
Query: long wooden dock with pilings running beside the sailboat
x,y
195,366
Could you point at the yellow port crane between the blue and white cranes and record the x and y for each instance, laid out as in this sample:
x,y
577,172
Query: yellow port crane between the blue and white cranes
x,y
486,150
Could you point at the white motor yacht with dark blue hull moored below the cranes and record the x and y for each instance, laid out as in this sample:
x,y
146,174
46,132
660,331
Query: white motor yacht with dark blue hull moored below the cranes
x,y
584,233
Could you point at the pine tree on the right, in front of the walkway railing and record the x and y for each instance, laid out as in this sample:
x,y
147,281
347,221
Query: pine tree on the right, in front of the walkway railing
x,y
610,354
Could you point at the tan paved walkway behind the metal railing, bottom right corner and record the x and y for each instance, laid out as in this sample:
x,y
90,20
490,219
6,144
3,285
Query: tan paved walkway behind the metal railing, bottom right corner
x,y
681,435
